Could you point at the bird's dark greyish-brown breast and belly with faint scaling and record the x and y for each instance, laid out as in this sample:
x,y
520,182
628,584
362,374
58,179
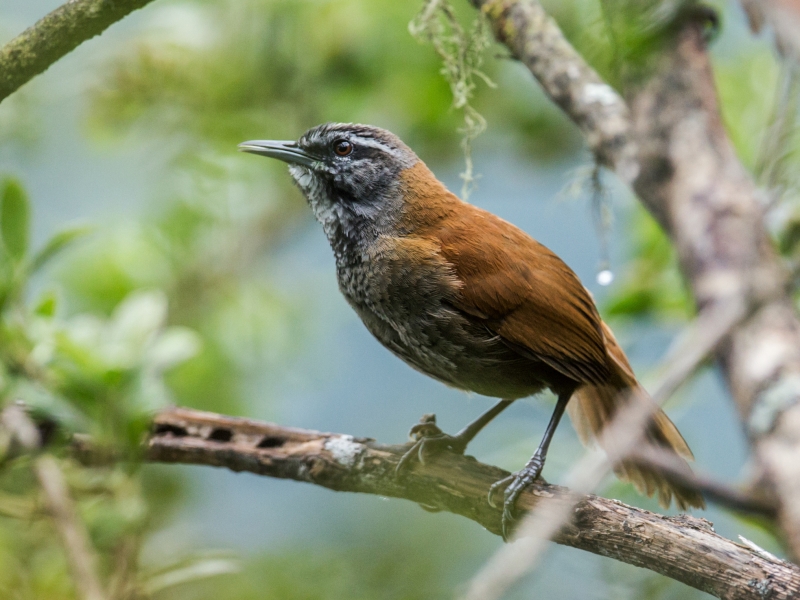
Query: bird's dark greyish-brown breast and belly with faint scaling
x,y
408,308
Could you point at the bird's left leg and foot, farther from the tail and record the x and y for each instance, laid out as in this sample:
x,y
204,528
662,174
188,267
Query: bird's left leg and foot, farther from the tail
x,y
431,440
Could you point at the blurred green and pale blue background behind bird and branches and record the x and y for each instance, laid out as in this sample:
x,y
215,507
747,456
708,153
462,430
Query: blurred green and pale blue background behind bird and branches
x,y
189,273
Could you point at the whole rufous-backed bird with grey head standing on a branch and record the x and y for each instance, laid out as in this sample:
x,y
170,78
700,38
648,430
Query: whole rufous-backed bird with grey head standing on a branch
x,y
468,299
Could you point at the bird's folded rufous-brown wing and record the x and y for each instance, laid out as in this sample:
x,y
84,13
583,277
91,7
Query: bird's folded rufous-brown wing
x,y
525,294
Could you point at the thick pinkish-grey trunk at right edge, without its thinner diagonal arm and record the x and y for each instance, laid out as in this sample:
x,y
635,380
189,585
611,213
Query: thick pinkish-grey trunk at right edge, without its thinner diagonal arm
x,y
703,196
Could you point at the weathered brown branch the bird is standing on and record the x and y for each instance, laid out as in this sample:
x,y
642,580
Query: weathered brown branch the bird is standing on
x,y
683,548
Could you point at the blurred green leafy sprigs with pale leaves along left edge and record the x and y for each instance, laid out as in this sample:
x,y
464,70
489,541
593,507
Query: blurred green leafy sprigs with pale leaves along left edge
x,y
102,376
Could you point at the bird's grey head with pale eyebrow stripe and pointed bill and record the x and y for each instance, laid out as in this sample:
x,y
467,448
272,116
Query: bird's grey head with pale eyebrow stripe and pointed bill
x,y
350,174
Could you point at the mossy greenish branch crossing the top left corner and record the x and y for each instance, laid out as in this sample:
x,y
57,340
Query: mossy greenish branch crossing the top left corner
x,y
56,35
